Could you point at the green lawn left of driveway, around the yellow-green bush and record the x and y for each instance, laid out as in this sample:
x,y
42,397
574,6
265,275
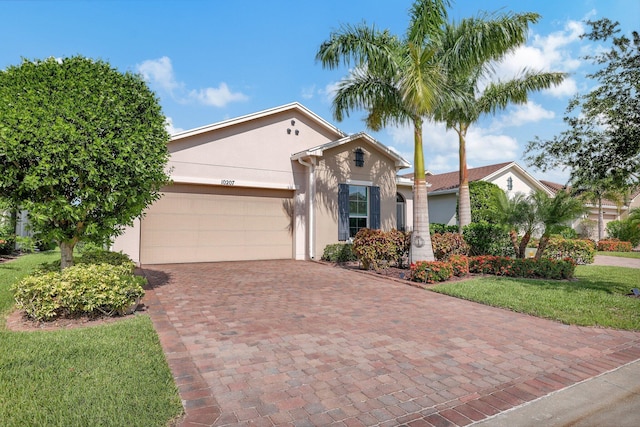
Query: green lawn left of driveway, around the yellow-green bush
x,y
109,375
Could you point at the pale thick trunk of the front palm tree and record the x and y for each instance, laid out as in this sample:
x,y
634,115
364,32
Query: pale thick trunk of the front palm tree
x,y
421,249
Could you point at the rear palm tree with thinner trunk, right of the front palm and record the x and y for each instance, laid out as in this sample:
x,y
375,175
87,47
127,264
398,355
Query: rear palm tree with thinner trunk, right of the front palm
x,y
497,95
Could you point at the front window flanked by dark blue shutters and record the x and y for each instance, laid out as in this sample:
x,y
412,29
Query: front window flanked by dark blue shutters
x,y
358,207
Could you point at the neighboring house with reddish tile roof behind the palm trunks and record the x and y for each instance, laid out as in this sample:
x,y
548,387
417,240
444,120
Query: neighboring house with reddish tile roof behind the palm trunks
x,y
443,188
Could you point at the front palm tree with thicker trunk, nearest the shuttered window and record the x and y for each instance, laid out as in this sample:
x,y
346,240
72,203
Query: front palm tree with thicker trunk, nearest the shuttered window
x,y
403,81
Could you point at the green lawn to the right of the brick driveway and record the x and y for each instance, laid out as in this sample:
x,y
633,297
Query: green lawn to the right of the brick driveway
x,y
597,298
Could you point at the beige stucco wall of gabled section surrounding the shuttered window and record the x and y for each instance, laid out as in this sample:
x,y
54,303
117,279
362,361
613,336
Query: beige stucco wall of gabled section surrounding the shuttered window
x,y
337,166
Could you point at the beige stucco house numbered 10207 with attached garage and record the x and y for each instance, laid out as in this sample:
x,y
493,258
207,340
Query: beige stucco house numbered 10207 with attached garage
x,y
277,184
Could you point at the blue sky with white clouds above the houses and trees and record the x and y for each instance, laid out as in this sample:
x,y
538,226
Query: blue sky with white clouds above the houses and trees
x,y
213,60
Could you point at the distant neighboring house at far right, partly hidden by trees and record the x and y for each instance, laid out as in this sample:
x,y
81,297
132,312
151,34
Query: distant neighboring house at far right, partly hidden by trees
x,y
612,211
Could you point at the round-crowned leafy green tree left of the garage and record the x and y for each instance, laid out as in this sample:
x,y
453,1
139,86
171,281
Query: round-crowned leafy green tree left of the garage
x,y
82,148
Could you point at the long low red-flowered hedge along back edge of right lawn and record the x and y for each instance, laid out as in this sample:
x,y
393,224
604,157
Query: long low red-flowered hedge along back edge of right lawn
x,y
543,268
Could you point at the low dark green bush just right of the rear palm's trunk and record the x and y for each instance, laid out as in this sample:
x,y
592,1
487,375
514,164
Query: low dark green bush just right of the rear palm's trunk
x,y
485,238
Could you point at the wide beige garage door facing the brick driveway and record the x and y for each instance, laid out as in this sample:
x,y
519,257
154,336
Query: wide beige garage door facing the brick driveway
x,y
193,223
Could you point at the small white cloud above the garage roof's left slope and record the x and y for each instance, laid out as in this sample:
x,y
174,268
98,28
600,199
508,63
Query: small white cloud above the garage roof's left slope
x,y
160,72
